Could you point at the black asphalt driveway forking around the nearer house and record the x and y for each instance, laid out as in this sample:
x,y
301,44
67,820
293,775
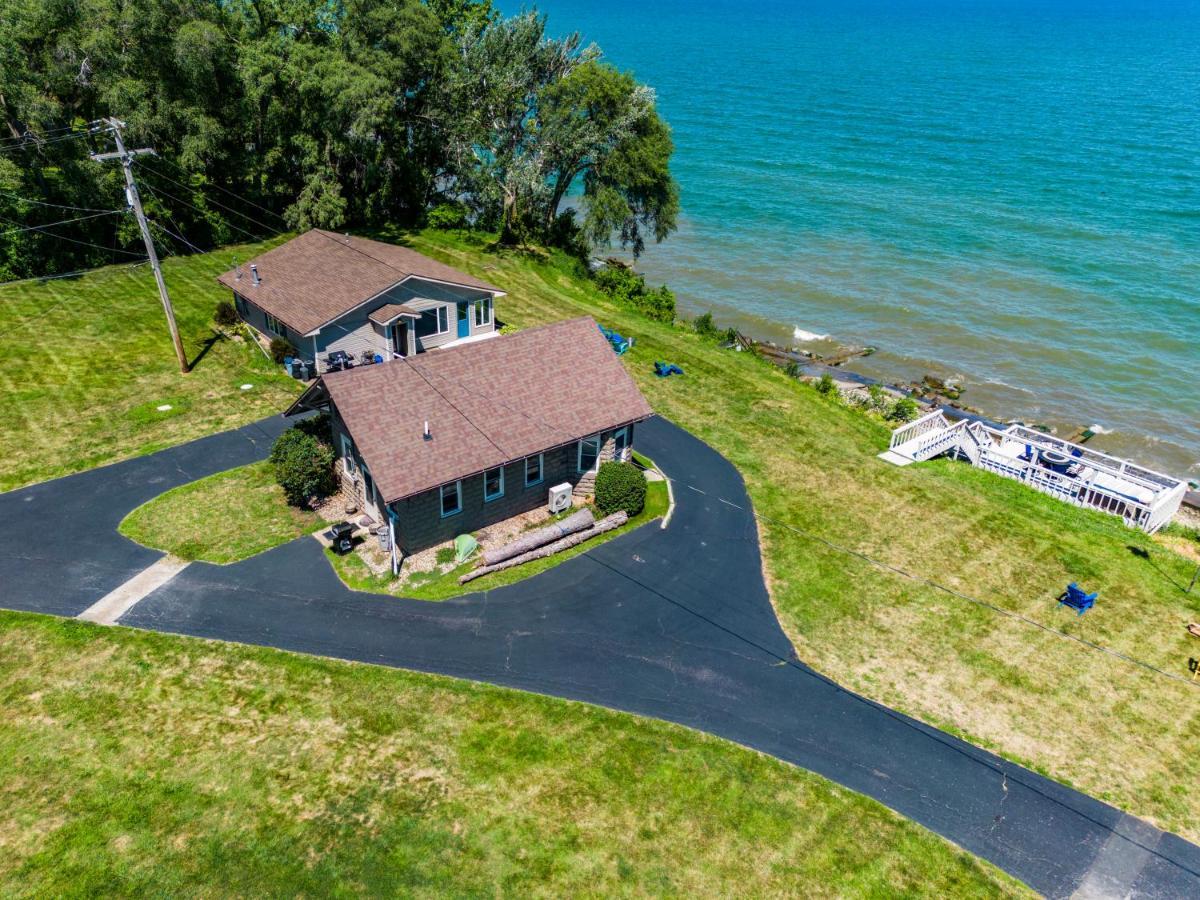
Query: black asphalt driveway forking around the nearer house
x,y
674,625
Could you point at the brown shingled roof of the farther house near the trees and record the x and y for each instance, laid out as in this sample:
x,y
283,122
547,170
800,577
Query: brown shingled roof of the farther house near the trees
x,y
319,277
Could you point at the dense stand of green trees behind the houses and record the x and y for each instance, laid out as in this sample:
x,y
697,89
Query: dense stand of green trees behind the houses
x,y
298,113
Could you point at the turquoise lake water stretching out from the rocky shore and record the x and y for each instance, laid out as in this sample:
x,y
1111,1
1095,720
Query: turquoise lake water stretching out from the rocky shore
x,y
1003,193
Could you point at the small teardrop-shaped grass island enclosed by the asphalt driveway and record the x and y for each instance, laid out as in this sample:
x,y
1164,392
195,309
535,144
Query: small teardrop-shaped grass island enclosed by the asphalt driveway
x,y
220,519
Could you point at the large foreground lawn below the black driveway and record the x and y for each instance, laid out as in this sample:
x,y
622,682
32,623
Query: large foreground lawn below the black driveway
x,y
241,771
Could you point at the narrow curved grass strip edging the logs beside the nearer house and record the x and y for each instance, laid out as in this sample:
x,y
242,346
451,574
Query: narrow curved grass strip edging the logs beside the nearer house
x,y
445,586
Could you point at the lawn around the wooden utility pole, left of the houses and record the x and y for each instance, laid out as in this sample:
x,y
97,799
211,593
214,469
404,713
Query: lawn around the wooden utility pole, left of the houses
x,y
88,361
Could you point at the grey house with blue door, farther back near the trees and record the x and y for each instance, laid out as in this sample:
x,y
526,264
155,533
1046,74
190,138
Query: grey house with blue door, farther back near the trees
x,y
337,298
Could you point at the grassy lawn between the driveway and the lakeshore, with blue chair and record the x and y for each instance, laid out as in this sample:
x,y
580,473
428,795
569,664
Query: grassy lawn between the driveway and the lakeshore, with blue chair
x,y
1083,717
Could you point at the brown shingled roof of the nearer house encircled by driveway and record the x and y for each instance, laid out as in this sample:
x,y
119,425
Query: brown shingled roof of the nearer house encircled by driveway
x,y
488,404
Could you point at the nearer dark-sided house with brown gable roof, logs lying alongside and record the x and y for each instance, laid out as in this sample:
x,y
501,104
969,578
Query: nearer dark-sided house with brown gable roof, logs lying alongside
x,y
451,442
